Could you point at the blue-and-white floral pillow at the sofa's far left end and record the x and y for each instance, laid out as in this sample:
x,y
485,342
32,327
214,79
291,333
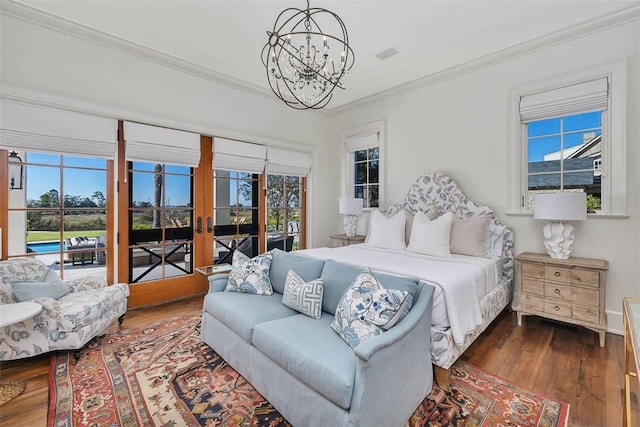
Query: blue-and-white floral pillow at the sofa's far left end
x,y
250,275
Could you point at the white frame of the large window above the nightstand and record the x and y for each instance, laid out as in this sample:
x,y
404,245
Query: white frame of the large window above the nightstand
x,y
614,162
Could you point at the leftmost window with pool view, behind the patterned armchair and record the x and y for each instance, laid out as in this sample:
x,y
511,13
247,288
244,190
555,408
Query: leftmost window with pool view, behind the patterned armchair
x,y
60,216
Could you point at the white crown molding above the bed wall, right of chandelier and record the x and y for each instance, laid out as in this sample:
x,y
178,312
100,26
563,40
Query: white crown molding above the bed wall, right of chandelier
x,y
617,18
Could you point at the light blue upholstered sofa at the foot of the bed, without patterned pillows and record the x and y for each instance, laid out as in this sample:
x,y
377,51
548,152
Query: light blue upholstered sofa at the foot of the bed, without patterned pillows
x,y
304,368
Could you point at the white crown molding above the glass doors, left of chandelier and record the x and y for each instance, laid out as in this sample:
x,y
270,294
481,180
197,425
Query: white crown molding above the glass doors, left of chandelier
x,y
84,32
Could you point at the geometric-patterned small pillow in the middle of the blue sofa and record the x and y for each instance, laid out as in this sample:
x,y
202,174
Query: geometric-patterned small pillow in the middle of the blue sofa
x,y
305,297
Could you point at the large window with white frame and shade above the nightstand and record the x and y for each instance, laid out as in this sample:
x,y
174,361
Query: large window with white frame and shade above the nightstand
x,y
569,134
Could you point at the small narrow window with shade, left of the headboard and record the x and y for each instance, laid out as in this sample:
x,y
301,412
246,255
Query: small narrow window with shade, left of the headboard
x,y
364,159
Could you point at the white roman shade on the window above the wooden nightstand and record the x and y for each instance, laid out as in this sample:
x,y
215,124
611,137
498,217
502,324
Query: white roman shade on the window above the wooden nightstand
x,y
578,98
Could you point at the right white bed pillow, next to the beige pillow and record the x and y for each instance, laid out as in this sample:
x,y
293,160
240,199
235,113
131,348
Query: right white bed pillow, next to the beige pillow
x,y
431,237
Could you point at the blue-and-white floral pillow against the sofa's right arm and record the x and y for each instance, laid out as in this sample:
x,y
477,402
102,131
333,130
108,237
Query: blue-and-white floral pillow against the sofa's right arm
x,y
367,309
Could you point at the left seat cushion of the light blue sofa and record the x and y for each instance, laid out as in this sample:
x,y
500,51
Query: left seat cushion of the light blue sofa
x,y
242,312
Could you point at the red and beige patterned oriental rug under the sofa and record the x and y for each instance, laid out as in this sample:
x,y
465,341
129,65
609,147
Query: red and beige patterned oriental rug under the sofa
x,y
162,375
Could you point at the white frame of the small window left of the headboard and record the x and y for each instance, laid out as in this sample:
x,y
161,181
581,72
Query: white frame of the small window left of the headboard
x,y
348,159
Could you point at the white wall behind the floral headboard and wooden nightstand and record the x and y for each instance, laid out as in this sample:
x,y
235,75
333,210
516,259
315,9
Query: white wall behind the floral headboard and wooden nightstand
x,y
460,127
